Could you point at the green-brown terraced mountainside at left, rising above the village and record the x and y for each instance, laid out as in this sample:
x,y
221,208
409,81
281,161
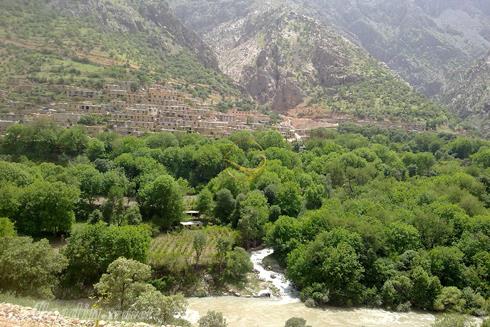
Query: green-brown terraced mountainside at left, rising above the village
x,y
94,42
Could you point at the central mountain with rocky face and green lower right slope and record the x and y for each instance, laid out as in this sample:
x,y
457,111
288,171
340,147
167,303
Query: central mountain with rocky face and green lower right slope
x,y
286,59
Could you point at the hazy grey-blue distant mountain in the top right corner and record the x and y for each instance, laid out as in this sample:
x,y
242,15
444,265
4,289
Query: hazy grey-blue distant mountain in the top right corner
x,y
424,41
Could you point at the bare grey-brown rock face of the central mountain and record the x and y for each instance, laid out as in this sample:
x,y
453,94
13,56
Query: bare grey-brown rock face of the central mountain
x,y
278,55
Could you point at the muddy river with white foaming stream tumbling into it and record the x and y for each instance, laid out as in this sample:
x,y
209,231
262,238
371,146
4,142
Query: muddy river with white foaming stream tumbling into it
x,y
274,311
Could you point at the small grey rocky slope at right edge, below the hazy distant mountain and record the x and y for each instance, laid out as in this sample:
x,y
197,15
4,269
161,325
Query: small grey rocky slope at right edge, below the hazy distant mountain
x,y
469,95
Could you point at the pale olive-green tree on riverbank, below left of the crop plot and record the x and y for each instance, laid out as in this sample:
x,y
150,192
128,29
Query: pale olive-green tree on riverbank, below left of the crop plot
x,y
123,283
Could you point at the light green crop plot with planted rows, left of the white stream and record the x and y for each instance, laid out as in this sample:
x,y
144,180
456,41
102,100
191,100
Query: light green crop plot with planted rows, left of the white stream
x,y
174,251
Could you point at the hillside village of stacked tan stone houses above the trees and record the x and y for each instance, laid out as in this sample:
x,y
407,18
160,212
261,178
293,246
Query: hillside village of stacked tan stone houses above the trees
x,y
154,109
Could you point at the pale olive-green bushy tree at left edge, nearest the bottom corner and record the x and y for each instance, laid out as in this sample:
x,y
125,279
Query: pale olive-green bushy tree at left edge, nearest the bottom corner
x,y
29,268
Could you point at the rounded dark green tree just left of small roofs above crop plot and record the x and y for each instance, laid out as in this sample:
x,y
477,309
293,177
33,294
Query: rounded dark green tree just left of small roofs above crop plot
x,y
161,201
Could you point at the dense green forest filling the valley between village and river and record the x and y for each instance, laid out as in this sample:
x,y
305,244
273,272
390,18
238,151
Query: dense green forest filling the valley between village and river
x,y
356,216
